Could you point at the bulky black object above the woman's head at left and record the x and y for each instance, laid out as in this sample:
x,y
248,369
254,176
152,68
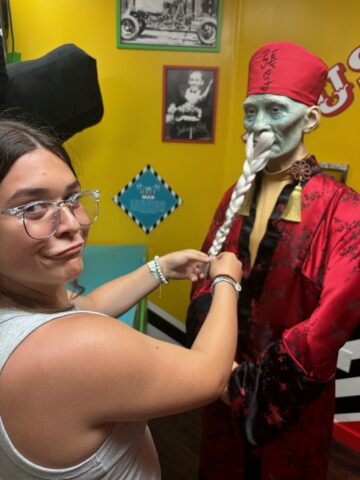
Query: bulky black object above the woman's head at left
x,y
60,88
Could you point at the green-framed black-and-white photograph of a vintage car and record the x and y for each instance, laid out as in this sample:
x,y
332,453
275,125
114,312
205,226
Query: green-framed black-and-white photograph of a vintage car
x,y
169,25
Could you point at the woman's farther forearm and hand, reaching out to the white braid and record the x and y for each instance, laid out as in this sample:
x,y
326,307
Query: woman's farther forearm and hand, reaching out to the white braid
x,y
117,296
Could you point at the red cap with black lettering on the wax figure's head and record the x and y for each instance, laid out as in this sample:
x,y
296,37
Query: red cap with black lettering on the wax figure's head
x,y
283,68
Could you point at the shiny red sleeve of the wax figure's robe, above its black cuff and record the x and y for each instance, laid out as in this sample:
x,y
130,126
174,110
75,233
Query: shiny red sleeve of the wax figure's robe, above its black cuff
x,y
314,343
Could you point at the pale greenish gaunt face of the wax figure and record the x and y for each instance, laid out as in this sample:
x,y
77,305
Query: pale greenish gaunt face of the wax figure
x,y
284,117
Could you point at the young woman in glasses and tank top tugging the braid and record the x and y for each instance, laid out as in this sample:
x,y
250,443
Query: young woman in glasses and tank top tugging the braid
x,y
77,386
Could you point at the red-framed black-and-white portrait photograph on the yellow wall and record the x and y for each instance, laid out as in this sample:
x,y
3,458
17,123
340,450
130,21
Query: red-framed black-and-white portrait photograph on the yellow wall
x,y
189,104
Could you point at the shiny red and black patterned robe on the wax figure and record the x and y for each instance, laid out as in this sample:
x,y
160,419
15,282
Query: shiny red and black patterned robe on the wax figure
x,y
300,302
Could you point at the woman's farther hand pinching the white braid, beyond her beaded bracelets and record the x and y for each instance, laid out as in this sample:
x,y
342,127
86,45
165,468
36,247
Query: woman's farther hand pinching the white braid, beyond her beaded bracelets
x,y
185,264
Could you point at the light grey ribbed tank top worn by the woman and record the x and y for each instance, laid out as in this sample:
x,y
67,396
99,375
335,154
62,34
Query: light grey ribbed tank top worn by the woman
x,y
127,454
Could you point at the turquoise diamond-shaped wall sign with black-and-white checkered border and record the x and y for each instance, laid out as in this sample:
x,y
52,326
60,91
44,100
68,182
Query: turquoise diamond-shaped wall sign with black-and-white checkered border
x,y
147,199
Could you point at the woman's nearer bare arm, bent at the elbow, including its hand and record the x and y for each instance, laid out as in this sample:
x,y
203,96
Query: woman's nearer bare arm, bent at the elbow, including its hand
x,y
104,371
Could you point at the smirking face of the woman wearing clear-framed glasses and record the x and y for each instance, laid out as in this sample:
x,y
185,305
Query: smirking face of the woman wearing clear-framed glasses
x,y
39,265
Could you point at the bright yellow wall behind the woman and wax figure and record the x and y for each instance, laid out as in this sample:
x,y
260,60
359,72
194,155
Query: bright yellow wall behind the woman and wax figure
x,y
109,154
